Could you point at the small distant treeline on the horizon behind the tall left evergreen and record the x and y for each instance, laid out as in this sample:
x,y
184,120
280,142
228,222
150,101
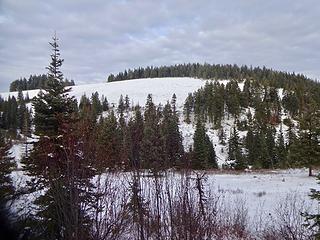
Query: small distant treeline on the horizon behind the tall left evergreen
x,y
34,82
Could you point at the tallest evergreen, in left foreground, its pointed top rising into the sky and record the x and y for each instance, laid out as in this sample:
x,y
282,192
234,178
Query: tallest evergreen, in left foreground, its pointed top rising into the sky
x,y
56,162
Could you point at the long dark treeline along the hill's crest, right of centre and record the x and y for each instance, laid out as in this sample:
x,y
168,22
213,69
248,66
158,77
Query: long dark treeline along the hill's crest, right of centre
x,y
265,76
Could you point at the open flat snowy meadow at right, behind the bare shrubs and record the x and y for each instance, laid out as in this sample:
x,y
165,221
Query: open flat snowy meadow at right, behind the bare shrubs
x,y
264,192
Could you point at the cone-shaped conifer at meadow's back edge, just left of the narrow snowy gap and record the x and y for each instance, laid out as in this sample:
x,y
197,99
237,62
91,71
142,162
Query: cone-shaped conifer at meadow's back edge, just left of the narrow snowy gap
x,y
203,149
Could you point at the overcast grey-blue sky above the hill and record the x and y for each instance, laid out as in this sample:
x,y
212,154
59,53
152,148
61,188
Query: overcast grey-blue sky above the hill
x,y
99,37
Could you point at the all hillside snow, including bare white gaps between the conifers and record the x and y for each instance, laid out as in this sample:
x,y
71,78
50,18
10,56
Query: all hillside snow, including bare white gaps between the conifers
x,y
162,90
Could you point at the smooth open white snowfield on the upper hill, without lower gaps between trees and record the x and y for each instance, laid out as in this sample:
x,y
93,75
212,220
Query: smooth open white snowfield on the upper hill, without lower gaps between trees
x,y
161,89
